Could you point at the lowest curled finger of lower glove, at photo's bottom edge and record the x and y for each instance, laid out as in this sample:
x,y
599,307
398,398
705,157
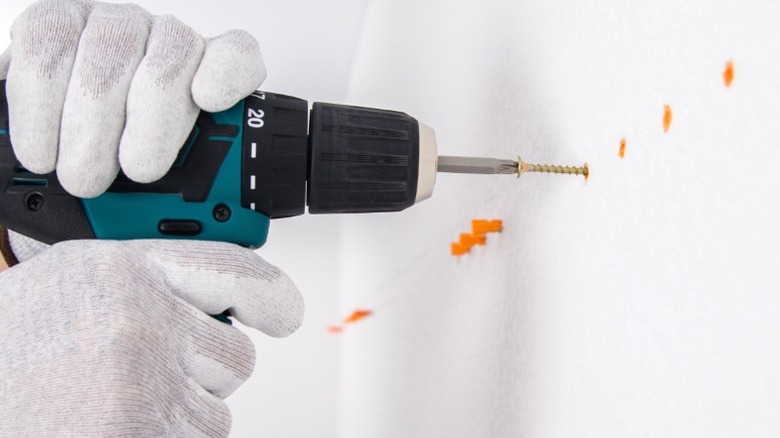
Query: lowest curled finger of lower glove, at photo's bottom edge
x,y
201,414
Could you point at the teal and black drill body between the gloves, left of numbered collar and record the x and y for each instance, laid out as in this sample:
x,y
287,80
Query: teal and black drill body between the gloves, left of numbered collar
x,y
199,198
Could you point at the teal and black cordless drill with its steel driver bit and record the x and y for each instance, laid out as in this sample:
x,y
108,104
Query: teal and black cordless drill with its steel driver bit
x,y
268,157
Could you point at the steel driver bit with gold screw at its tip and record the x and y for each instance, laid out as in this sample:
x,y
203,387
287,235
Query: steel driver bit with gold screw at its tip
x,y
497,166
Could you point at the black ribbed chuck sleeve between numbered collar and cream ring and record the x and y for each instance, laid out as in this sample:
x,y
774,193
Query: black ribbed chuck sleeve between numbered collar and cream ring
x,y
362,160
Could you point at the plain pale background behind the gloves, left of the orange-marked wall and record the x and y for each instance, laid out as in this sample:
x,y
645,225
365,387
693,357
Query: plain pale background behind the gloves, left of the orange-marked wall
x,y
308,48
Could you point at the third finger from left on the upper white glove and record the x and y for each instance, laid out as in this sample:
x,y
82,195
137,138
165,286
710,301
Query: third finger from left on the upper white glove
x,y
160,109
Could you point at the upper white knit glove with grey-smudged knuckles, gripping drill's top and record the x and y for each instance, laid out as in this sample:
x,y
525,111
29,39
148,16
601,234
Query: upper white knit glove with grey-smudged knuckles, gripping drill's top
x,y
94,85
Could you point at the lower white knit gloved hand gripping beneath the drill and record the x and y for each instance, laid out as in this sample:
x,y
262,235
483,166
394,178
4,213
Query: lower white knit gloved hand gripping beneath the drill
x,y
111,339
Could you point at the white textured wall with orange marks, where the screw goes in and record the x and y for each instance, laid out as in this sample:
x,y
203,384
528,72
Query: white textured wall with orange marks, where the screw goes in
x,y
645,302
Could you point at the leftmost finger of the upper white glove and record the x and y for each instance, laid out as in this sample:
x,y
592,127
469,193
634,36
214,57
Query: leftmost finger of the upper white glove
x,y
44,40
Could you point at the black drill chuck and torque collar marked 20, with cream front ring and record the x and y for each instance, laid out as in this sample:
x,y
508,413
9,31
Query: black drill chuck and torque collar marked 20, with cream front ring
x,y
345,159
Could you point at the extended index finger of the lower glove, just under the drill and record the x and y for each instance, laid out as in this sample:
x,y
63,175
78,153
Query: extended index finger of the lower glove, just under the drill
x,y
215,277
